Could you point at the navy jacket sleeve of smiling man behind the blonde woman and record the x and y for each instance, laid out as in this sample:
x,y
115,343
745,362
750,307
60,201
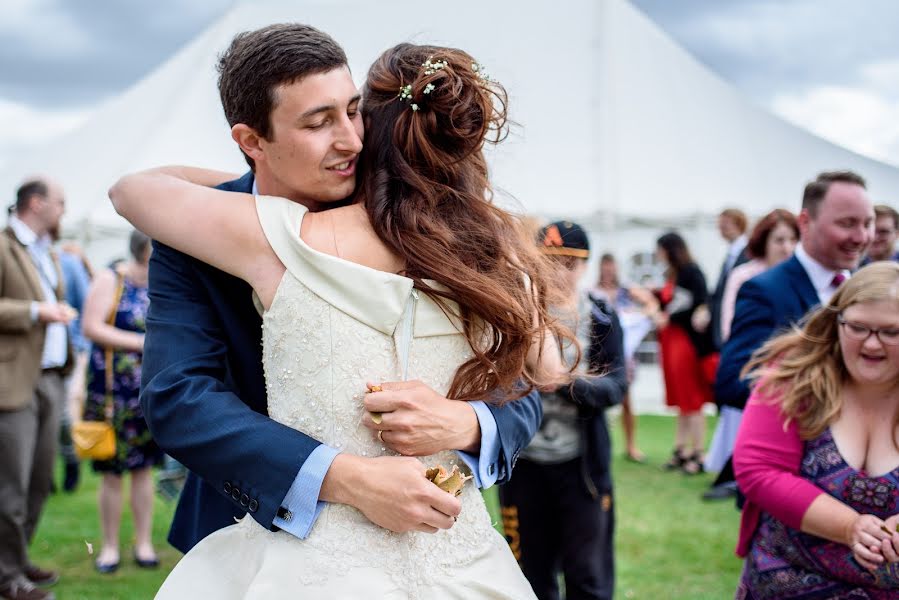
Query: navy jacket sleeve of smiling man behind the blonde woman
x,y
754,322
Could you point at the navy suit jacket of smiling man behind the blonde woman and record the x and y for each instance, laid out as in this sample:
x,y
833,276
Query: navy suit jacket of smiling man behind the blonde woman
x,y
766,304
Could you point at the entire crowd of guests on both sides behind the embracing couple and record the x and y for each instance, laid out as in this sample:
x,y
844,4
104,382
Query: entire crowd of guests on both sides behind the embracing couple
x,y
802,419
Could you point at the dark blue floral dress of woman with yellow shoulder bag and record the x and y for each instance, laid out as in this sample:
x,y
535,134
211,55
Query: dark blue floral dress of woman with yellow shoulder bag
x,y
135,448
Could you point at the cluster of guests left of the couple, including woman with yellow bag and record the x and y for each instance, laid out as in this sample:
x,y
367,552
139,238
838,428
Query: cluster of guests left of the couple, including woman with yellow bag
x,y
72,339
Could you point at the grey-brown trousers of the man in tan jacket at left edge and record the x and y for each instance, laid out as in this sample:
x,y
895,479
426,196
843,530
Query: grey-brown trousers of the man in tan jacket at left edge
x,y
27,451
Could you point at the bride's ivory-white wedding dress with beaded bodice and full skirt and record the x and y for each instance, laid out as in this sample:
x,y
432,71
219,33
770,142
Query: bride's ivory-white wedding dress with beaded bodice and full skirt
x,y
334,325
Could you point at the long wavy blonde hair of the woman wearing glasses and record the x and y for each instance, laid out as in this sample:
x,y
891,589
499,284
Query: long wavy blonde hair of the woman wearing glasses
x,y
805,365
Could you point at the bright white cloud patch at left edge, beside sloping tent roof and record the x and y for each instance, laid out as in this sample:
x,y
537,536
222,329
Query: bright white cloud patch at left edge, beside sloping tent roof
x,y
24,126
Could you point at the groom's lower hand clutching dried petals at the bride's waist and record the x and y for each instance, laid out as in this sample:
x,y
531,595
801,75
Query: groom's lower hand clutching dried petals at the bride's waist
x,y
392,491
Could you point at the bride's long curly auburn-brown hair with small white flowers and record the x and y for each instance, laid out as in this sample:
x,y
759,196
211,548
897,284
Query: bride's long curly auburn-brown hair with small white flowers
x,y
425,186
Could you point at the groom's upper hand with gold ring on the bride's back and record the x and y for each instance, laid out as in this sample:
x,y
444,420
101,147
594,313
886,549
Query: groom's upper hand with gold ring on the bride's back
x,y
417,421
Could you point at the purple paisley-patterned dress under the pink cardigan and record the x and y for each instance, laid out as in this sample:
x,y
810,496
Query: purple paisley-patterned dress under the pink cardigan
x,y
786,563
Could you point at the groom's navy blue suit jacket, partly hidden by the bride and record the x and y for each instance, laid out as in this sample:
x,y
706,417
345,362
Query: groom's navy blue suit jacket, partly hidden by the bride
x,y
203,396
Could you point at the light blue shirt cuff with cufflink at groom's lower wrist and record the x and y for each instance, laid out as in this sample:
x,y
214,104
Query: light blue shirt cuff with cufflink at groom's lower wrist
x,y
301,502
